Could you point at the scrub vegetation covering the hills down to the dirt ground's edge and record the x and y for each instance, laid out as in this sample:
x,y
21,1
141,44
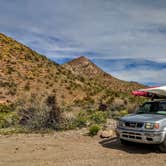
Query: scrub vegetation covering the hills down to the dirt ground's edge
x,y
79,84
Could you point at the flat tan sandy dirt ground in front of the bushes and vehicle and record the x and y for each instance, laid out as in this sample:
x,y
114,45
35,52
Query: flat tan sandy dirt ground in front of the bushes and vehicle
x,y
73,149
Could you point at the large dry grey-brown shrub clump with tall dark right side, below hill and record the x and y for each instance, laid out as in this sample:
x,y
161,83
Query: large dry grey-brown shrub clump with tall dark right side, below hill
x,y
39,114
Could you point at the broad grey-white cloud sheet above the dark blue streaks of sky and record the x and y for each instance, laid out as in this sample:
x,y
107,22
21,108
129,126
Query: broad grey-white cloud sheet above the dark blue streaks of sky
x,y
113,28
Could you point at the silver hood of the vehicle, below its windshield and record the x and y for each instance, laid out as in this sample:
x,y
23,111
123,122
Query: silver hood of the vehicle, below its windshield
x,y
143,117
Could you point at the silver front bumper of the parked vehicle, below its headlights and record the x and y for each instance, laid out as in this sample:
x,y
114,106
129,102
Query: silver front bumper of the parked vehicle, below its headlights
x,y
140,136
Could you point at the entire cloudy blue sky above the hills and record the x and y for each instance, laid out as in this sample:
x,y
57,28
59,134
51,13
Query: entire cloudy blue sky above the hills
x,y
127,38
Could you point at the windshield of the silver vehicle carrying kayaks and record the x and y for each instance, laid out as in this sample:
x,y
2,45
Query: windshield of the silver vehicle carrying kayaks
x,y
153,108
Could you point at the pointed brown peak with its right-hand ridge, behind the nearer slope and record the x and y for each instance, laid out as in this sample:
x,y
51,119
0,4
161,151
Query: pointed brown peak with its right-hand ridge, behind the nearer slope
x,y
87,69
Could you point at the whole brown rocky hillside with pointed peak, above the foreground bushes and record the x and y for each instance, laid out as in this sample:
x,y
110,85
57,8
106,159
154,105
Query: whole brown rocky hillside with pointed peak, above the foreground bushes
x,y
77,83
